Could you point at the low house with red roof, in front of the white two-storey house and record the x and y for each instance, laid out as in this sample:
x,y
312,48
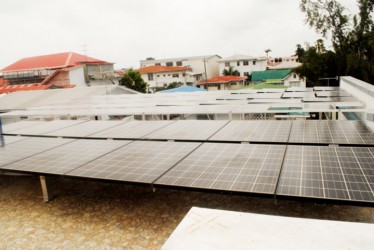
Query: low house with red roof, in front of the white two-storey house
x,y
222,83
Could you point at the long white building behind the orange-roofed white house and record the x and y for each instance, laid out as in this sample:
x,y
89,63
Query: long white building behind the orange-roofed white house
x,y
201,67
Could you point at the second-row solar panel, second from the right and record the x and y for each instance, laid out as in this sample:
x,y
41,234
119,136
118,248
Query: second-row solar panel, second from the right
x,y
254,131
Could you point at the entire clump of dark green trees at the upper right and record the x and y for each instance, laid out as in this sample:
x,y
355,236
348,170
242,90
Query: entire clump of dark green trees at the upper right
x,y
353,44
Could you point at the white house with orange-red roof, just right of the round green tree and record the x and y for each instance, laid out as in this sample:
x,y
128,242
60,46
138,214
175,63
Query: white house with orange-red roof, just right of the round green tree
x,y
161,76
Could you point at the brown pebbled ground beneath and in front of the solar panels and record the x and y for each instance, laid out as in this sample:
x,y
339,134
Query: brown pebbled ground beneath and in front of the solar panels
x,y
97,215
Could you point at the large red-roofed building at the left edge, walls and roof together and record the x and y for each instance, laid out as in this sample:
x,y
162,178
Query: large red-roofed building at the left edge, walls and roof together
x,y
62,70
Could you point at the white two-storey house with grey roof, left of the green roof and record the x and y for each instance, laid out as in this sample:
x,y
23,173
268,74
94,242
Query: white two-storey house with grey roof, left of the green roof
x,y
242,63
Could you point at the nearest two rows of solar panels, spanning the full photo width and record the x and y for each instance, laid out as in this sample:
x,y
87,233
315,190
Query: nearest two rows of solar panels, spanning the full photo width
x,y
342,173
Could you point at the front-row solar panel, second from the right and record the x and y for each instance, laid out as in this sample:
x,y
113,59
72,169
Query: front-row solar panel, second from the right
x,y
231,167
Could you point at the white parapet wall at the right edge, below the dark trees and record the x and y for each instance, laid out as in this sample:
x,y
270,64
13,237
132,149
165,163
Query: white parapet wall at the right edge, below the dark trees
x,y
364,92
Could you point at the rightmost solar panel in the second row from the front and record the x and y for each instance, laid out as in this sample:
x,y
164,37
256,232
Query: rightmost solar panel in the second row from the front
x,y
331,132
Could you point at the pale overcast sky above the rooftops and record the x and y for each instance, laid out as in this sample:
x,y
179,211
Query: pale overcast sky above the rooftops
x,y
126,31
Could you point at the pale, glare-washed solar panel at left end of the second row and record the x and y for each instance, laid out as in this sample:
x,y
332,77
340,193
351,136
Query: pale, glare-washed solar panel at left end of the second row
x,y
45,127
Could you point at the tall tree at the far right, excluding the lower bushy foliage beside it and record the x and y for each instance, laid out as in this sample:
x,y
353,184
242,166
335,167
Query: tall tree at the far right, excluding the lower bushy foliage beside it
x,y
353,42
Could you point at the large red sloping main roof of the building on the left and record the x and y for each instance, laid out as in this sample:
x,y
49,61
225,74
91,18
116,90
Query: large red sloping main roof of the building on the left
x,y
53,61
